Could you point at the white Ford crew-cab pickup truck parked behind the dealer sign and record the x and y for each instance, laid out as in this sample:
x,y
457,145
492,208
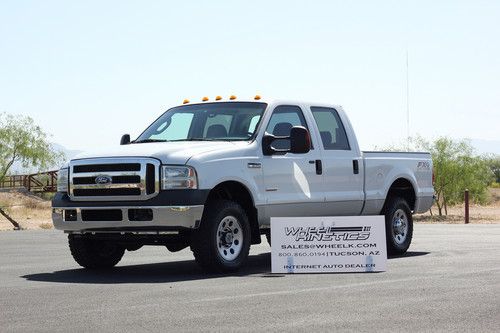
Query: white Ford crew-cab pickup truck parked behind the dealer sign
x,y
210,175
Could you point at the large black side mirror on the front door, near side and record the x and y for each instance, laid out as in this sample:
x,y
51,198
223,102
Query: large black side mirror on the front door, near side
x,y
300,142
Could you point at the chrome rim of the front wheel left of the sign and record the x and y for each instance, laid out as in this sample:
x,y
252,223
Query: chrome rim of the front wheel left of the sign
x,y
229,238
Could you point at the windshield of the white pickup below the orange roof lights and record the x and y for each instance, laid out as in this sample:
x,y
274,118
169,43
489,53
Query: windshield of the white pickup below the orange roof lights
x,y
231,121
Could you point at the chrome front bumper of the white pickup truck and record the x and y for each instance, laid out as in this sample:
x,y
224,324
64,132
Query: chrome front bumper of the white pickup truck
x,y
162,217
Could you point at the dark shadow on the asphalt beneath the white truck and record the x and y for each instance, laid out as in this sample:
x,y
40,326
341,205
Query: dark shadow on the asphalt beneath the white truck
x,y
175,271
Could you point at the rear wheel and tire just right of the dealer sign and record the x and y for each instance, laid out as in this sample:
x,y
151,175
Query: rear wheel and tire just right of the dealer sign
x,y
398,226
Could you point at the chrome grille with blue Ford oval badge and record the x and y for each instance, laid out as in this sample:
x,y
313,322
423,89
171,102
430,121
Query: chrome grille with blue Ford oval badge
x,y
114,179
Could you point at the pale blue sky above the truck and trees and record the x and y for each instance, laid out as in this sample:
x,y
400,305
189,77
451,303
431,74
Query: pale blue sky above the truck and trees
x,y
90,71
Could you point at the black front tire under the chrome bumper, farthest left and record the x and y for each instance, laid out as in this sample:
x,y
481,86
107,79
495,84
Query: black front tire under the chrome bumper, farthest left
x,y
95,254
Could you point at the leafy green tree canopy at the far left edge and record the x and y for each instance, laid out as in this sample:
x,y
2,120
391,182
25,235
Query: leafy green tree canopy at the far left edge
x,y
21,140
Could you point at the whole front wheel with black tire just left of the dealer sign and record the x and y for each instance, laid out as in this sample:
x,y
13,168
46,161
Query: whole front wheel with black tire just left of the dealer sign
x,y
222,242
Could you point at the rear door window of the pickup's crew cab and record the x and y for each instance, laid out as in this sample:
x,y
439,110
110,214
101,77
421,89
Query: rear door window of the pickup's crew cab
x,y
331,129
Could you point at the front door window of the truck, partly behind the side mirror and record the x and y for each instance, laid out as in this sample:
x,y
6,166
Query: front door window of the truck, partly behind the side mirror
x,y
283,119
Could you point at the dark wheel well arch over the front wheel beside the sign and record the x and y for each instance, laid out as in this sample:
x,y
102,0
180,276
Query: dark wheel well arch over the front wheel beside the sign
x,y
237,192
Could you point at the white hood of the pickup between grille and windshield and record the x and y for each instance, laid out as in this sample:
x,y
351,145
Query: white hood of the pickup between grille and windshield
x,y
166,152
